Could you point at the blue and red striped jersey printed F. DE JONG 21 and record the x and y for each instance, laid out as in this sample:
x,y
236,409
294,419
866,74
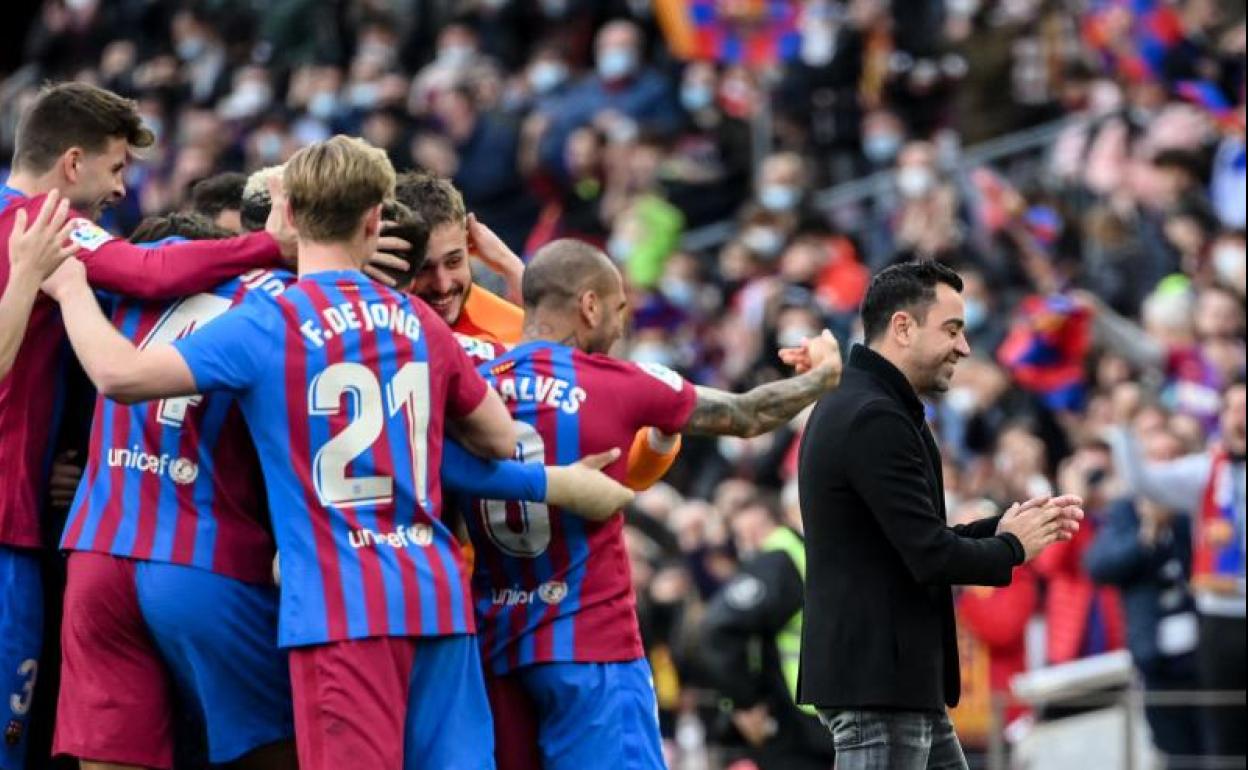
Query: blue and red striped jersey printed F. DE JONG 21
x,y
345,386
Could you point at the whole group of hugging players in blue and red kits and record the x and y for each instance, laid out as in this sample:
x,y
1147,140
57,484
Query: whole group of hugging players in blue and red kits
x,y
284,466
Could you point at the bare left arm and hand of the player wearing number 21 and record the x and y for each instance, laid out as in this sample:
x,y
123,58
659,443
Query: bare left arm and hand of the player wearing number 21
x,y
118,369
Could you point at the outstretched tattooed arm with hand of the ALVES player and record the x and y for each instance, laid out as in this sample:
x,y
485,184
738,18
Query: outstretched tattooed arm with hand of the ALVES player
x,y
769,406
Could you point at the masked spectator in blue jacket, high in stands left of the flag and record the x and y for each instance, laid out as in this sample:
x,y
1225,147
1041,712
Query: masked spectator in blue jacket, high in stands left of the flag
x,y
622,95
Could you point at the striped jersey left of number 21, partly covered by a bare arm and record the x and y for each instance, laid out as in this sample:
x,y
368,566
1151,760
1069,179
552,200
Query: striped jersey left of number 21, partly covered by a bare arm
x,y
177,480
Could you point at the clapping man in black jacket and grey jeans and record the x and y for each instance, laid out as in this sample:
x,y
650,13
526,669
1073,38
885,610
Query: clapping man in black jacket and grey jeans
x,y
879,653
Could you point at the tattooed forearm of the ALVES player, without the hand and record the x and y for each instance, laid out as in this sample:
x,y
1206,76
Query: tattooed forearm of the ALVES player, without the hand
x,y
759,411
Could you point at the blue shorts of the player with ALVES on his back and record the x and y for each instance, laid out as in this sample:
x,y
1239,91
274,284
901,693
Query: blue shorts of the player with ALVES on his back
x,y
596,716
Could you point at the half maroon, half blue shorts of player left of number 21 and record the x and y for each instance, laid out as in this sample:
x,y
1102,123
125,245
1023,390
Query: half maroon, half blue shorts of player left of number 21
x,y
132,627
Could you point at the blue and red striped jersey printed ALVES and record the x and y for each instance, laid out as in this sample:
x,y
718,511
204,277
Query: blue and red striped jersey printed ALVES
x,y
550,586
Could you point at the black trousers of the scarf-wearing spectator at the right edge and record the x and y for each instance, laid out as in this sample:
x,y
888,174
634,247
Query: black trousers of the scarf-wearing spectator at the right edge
x,y
1221,661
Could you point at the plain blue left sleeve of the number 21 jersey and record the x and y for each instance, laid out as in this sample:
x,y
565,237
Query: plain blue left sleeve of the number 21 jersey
x,y
233,351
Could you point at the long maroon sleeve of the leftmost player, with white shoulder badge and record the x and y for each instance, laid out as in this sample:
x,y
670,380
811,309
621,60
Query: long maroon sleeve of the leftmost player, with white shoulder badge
x,y
169,271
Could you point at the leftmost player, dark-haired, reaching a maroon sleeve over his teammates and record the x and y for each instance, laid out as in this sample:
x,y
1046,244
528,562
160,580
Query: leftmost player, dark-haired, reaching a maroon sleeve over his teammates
x,y
76,139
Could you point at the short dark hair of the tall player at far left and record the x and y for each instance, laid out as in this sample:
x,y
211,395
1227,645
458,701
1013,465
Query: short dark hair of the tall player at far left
x,y
76,115
